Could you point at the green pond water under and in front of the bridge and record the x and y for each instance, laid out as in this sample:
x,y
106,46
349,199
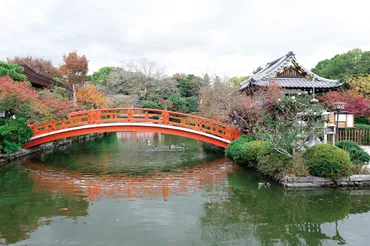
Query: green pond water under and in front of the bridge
x,y
120,189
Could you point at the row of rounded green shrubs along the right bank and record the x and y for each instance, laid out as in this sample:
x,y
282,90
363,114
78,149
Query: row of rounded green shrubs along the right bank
x,y
323,160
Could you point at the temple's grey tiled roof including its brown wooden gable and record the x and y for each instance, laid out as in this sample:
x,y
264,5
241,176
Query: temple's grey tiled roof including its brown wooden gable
x,y
290,75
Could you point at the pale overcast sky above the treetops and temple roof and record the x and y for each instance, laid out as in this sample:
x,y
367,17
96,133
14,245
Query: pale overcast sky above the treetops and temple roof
x,y
224,37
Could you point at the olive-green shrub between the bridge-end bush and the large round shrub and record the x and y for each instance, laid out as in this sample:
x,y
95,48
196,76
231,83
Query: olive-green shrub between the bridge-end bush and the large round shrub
x,y
269,161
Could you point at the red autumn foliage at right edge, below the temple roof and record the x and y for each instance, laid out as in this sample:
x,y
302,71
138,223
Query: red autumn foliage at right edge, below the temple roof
x,y
354,102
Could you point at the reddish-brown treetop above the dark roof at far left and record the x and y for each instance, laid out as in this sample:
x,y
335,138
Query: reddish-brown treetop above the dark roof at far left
x,y
39,65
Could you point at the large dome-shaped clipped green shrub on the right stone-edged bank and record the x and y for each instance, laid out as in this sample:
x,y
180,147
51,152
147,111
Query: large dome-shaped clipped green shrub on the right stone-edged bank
x,y
325,160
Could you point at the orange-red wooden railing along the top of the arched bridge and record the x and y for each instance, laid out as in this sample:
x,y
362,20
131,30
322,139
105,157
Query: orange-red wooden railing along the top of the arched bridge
x,y
138,115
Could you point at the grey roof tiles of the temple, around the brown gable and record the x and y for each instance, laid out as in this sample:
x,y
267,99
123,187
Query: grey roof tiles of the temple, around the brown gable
x,y
272,69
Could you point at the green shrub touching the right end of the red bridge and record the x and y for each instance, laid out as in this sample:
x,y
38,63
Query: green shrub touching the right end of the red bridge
x,y
236,149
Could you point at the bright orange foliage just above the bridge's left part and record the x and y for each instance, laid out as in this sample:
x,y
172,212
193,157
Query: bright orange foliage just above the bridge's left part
x,y
90,95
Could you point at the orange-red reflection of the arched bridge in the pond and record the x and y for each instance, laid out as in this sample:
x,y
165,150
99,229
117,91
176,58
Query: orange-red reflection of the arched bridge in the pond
x,y
154,184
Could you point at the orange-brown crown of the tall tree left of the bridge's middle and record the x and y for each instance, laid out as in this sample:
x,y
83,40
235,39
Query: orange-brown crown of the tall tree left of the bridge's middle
x,y
74,68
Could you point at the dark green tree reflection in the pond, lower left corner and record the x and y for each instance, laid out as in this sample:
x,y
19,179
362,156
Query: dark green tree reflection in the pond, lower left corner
x,y
23,207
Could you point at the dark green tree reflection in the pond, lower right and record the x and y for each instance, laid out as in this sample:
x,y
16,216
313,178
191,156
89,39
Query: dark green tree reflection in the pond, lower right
x,y
279,216
